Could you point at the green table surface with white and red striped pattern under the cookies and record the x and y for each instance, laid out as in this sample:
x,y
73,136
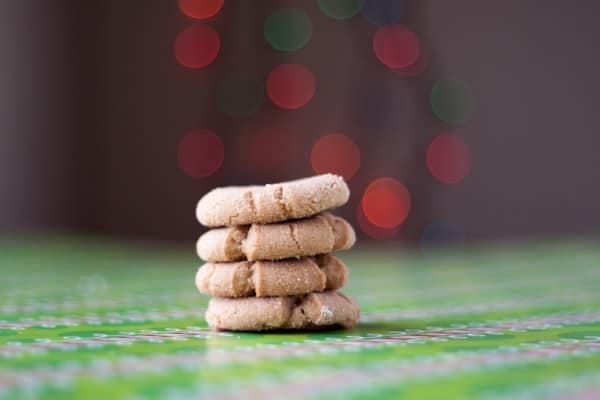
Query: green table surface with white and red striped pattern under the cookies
x,y
93,319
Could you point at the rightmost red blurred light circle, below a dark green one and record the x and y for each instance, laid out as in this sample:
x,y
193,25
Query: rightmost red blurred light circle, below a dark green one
x,y
448,158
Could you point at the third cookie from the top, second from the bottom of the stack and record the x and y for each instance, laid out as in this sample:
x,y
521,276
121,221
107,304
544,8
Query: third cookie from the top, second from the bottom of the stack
x,y
272,278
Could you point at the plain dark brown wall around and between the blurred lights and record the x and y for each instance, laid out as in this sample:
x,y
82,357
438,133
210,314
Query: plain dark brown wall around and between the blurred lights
x,y
94,104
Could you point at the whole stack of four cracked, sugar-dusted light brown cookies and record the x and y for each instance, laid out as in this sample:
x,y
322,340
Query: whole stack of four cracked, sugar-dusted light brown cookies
x,y
268,263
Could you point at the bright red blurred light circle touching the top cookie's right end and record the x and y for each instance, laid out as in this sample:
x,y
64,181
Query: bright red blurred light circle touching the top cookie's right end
x,y
337,154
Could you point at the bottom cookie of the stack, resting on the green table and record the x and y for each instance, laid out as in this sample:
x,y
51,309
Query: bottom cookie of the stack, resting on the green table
x,y
315,310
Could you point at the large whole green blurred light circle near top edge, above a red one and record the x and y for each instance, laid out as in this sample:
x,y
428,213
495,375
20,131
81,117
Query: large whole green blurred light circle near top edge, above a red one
x,y
288,29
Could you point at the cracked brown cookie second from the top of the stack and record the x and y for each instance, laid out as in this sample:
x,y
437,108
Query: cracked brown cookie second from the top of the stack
x,y
320,234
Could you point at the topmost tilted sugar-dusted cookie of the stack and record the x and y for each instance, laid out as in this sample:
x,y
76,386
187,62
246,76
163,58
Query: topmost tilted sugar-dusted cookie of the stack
x,y
245,205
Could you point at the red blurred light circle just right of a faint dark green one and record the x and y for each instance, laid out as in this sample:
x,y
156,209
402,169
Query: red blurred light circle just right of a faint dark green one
x,y
290,86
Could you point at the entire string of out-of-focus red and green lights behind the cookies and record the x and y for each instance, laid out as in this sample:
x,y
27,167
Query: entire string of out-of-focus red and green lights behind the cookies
x,y
386,202
